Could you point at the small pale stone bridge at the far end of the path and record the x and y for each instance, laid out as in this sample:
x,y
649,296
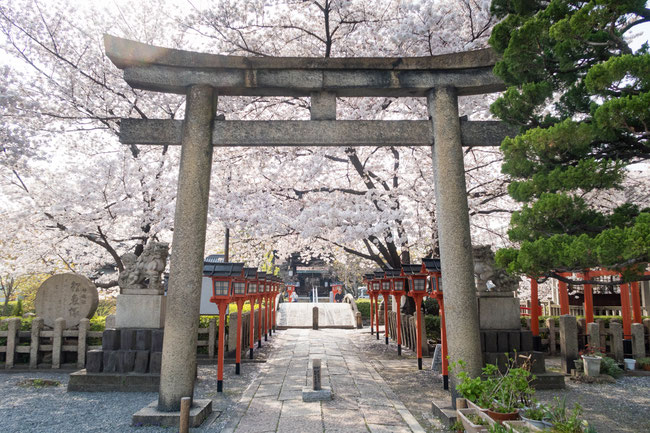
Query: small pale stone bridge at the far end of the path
x,y
300,315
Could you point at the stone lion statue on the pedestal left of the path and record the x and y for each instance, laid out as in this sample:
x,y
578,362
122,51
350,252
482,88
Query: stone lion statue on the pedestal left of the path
x,y
144,272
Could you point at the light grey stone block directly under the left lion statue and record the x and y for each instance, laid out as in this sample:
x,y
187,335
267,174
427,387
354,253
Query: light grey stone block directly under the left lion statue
x,y
140,311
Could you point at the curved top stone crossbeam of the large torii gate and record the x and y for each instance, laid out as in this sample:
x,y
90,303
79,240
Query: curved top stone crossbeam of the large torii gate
x,y
172,71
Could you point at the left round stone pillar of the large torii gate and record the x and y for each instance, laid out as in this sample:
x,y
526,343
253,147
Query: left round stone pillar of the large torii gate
x,y
188,247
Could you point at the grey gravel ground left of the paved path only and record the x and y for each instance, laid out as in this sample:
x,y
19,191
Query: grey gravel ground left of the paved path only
x,y
29,409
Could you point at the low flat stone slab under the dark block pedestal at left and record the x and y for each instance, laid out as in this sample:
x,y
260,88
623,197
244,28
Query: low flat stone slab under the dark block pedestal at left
x,y
83,381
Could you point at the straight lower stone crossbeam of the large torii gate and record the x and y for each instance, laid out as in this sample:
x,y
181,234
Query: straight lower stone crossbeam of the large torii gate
x,y
314,133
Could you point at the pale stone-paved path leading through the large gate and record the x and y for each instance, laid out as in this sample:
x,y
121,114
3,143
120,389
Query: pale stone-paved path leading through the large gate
x,y
362,401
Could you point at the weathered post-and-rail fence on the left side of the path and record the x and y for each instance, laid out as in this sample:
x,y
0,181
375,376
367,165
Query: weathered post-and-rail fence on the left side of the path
x,y
42,343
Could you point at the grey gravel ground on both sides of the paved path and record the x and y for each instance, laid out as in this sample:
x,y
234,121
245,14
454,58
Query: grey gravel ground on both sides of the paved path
x,y
623,406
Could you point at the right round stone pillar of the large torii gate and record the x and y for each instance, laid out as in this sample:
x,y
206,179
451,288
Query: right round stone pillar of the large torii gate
x,y
453,227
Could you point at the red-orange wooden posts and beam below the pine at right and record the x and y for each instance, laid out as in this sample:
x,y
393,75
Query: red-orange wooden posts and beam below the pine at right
x,y
630,296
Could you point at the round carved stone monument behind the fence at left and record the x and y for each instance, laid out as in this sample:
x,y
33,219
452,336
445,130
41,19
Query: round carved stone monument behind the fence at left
x,y
70,296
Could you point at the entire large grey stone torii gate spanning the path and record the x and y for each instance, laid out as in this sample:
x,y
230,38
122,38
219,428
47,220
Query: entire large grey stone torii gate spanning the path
x,y
202,77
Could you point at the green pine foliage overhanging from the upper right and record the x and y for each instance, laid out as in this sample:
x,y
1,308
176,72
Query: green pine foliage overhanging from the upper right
x,y
580,96
